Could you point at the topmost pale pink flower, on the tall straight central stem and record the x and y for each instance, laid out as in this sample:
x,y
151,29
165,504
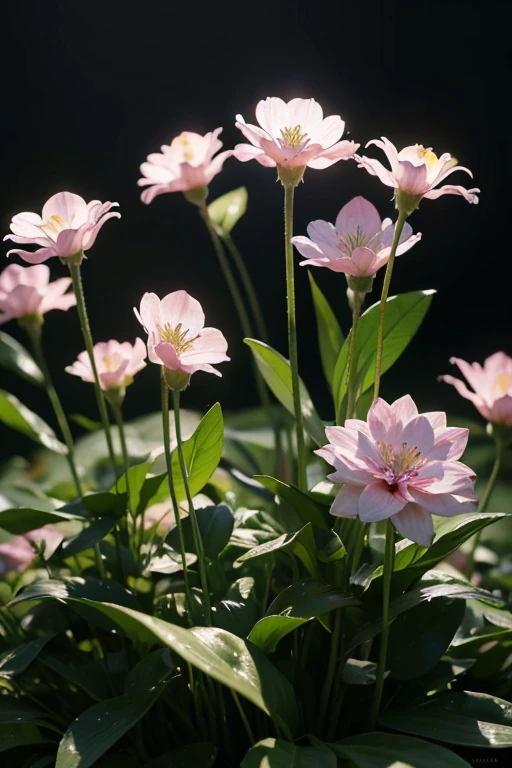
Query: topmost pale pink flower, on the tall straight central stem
x,y
293,135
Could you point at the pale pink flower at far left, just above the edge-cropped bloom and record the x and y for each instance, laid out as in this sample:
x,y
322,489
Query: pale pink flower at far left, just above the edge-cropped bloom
x,y
68,226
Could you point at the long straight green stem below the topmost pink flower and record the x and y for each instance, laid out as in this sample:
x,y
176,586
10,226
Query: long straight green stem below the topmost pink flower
x,y
292,335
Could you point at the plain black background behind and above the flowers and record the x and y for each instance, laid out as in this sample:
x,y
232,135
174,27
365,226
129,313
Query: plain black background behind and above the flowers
x,y
90,88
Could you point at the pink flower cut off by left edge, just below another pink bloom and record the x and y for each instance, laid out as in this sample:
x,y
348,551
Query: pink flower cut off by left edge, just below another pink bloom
x,y
28,291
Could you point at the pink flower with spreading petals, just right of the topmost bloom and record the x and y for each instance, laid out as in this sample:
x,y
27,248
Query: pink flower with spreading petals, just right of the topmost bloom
x,y
416,171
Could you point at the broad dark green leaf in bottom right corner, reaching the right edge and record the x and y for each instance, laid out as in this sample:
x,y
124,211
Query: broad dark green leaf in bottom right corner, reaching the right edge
x,y
464,718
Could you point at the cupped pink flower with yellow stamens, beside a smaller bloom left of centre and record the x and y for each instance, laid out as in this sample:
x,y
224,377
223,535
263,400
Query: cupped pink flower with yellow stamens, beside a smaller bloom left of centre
x,y
177,337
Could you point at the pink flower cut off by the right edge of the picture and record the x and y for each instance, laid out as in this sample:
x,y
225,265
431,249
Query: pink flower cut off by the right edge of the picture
x,y
492,385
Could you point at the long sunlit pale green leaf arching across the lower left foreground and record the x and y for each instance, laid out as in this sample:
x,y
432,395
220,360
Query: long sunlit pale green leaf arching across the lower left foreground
x,y
217,653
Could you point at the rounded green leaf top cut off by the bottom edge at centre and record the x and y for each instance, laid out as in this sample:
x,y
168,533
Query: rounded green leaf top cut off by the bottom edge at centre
x,y
277,753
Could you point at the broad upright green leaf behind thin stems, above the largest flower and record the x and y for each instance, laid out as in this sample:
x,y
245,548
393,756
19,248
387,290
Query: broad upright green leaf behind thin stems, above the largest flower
x,y
404,315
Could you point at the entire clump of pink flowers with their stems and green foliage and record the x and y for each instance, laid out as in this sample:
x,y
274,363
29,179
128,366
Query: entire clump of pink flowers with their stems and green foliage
x,y
264,588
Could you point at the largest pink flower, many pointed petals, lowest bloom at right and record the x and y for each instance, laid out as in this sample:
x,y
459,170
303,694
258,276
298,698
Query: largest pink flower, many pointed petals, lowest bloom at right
x,y
400,465
